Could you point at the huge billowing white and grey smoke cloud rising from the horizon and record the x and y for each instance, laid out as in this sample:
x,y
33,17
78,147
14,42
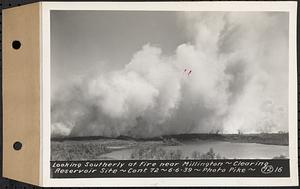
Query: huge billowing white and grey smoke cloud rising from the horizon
x,y
238,83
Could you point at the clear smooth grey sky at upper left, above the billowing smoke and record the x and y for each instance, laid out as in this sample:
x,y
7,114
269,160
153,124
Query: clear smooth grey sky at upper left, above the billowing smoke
x,y
107,40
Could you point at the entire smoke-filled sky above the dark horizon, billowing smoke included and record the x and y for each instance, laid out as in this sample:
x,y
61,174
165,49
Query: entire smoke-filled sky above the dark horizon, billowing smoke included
x,y
146,74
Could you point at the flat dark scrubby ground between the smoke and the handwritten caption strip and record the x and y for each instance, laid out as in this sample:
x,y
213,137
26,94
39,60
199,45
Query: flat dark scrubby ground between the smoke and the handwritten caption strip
x,y
96,147
